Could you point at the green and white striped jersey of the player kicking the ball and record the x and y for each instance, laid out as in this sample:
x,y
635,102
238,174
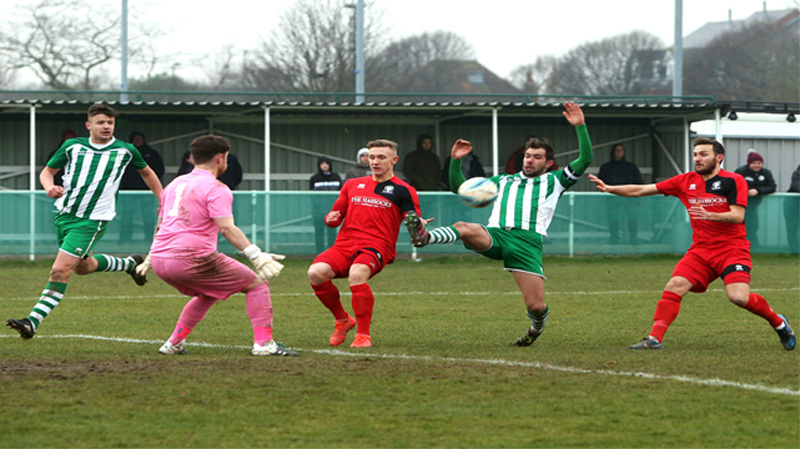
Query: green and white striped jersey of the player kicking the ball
x,y
529,203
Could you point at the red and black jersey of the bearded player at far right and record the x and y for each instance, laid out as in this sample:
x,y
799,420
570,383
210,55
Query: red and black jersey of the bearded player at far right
x,y
715,195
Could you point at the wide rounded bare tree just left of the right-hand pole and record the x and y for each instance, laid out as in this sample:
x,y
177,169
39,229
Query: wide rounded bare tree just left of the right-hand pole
x,y
612,66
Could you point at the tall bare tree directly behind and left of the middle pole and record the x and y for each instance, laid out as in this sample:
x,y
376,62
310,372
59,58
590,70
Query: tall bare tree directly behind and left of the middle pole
x,y
312,51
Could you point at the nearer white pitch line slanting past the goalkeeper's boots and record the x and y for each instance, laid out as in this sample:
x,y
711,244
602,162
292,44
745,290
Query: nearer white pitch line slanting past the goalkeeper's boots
x,y
545,366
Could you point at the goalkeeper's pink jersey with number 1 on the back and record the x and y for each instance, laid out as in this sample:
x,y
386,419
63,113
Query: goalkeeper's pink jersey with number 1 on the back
x,y
189,205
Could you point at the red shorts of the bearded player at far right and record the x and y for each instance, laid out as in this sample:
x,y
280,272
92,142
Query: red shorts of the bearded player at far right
x,y
701,266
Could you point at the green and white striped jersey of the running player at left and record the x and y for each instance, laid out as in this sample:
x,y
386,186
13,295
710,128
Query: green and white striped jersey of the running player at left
x,y
92,174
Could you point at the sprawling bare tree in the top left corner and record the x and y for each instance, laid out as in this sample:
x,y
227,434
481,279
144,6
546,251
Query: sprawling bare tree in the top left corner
x,y
65,43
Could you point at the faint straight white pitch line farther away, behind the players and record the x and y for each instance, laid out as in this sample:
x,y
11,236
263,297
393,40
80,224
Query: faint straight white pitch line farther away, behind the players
x,y
509,293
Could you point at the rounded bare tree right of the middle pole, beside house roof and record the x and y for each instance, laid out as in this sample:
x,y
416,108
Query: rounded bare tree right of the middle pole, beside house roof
x,y
399,66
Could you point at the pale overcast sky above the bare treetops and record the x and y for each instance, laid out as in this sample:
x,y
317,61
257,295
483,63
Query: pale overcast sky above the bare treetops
x,y
504,33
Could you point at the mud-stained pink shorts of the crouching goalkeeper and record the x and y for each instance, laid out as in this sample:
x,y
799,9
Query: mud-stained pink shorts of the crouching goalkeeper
x,y
215,275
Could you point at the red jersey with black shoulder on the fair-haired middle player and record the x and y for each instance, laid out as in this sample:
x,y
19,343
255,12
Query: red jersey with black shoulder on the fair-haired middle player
x,y
373,212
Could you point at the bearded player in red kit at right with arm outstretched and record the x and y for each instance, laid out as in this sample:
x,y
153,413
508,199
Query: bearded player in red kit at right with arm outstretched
x,y
716,200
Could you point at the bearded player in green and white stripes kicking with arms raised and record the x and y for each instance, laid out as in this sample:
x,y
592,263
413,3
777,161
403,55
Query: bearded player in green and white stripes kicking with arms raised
x,y
520,216
